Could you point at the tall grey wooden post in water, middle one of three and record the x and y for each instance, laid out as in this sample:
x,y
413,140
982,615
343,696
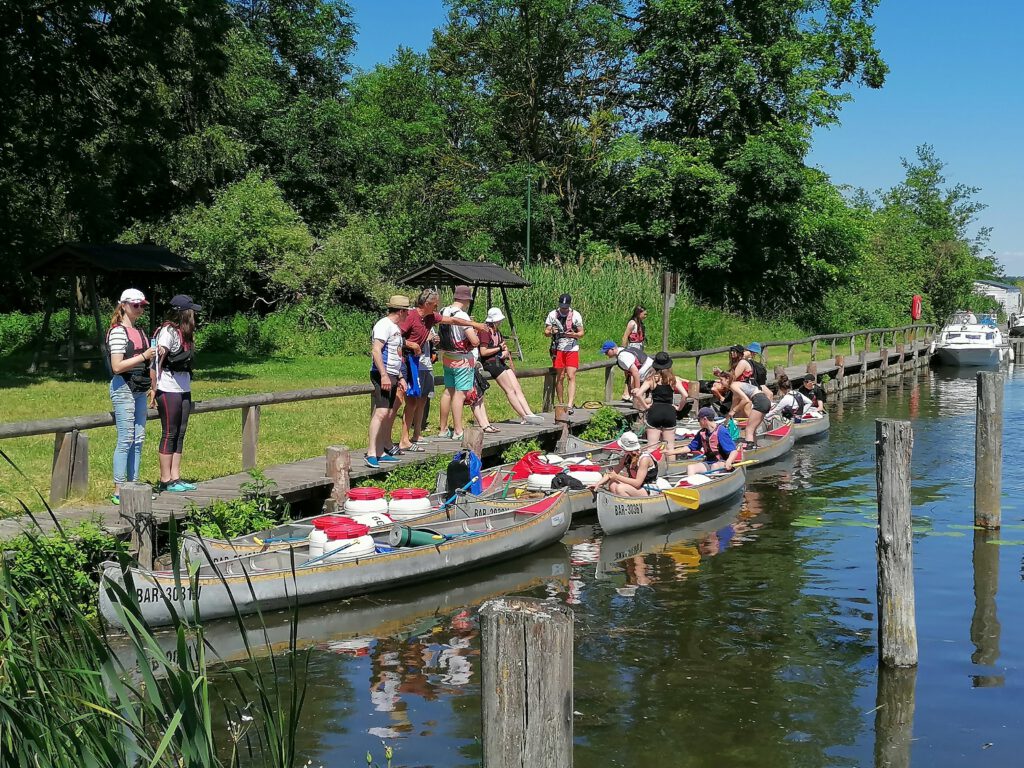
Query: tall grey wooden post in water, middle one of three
x,y
898,631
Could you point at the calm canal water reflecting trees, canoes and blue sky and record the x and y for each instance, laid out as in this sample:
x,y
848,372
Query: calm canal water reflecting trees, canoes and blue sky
x,y
747,637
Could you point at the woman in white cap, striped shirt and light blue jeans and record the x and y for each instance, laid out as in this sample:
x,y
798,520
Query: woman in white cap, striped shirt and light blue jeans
x,y
132,386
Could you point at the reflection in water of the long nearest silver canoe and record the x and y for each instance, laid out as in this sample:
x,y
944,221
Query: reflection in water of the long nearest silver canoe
x,y
362,620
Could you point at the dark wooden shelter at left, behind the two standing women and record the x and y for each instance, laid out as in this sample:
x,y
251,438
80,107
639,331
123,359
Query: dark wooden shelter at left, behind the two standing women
x,y
144,267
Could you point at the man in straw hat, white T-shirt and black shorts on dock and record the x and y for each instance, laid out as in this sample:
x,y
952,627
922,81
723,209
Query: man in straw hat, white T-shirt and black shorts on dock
x,y
387,377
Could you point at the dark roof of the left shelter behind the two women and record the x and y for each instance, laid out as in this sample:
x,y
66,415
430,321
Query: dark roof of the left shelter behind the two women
x,y
77,258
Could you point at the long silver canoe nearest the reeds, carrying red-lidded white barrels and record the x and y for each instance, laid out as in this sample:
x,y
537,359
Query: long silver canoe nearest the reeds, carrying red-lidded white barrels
x,y
276,580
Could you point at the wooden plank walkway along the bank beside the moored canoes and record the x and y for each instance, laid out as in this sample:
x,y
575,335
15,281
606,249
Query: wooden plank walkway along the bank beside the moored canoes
x,y
308,479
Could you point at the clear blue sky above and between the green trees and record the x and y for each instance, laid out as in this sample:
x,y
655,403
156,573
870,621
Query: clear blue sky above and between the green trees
x,y
956,83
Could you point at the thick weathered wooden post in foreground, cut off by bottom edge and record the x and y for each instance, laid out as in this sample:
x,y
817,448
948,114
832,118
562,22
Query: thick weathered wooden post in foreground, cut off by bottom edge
x,y
527,677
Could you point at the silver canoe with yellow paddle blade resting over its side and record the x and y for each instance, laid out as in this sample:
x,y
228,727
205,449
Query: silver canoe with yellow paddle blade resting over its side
x,y
617,514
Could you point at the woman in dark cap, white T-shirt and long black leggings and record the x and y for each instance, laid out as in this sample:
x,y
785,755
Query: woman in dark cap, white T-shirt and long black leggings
x,y
176,352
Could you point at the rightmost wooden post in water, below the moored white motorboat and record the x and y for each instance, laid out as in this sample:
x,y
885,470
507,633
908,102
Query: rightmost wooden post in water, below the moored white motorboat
x,y
989,451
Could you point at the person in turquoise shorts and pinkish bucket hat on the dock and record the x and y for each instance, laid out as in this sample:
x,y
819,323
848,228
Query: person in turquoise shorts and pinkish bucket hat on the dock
x,y
457,346
